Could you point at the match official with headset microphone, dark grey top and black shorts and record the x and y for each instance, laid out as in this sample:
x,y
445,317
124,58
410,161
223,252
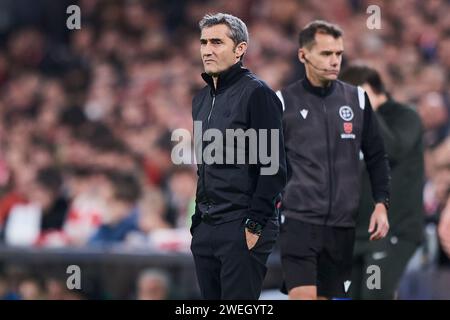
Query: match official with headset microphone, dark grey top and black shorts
x,y
326,123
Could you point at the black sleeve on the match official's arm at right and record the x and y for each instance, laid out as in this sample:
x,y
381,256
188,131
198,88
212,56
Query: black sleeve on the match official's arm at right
x,y
375,155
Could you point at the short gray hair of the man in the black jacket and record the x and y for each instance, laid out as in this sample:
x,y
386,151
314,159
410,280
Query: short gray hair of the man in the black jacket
x,y
238,30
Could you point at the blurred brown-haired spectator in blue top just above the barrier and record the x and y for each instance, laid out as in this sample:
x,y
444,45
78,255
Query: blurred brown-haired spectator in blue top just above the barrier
x,y
121,194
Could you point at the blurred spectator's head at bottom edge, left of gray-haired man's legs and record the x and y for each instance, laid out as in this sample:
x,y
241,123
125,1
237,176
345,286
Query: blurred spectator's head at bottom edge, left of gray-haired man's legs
x,y
153,284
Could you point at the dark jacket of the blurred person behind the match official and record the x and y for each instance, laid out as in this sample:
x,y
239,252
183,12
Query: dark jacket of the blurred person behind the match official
x,y
401,129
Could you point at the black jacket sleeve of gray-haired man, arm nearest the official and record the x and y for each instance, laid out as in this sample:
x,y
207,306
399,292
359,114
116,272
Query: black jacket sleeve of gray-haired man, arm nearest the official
x,y
265,112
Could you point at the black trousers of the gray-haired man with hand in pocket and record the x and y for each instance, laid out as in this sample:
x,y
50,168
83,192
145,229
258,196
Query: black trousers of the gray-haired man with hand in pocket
x,y
226,268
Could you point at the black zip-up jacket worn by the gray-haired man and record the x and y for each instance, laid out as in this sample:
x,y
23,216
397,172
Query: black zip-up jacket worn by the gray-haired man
x,y
227,192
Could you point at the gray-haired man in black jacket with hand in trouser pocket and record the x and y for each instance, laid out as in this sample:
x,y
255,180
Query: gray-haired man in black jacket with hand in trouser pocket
x,y
235,224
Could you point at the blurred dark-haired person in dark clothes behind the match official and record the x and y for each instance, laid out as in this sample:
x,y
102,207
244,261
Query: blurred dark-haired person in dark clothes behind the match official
x,y
401,129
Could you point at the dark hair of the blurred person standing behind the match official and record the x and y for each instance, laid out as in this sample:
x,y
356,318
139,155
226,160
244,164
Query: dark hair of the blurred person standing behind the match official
x,y
359,74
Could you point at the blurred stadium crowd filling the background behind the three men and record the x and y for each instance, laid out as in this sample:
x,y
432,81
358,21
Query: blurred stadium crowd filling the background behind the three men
x,y
86,115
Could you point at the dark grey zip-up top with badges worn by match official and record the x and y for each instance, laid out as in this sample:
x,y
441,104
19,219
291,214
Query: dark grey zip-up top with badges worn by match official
x,y
325,129
